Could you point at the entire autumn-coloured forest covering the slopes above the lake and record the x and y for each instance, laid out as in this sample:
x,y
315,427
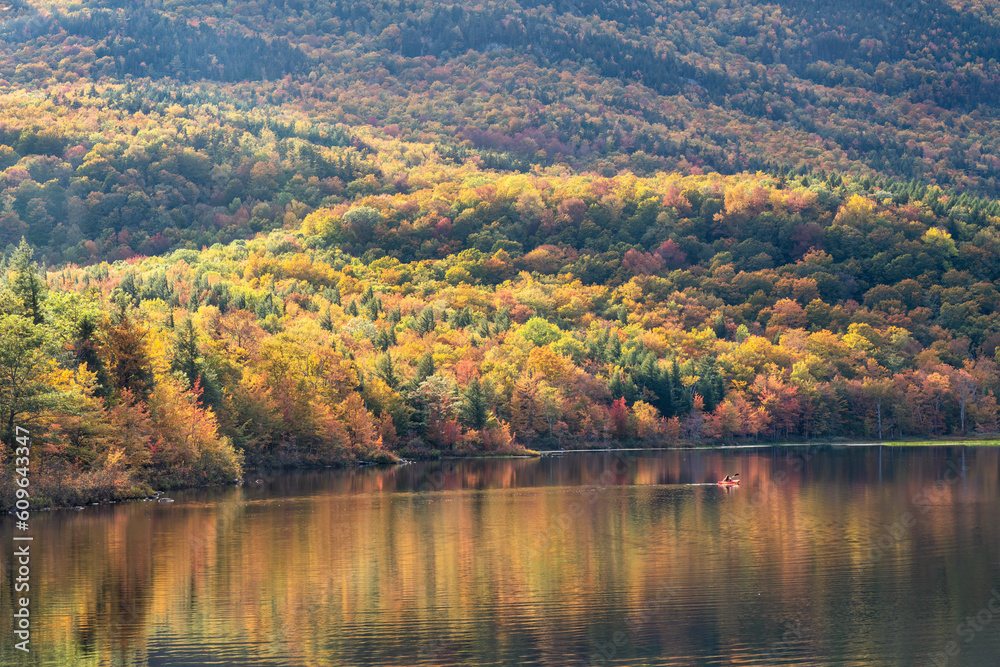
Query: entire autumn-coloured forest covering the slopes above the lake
x,y
245,234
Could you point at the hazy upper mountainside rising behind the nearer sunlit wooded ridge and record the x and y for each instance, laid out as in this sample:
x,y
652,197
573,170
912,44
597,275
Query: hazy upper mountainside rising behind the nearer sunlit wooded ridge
x,y
173,122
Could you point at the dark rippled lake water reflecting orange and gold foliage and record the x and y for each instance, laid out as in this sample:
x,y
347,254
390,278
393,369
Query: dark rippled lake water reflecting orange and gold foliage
x,y
854,556
